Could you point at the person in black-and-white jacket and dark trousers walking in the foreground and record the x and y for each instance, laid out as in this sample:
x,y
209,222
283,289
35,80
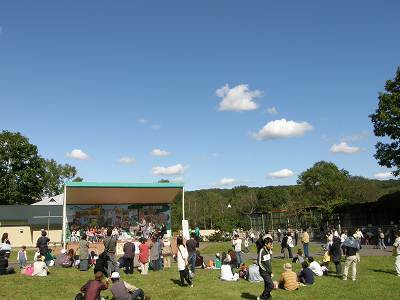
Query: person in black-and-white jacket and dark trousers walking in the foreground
x,y
265,268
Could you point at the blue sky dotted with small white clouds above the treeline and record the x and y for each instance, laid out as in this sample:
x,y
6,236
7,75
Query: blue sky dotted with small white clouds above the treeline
x,y
115,80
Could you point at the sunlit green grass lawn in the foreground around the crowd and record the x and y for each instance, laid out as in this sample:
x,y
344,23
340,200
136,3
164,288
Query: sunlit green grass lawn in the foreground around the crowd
x,y
375,280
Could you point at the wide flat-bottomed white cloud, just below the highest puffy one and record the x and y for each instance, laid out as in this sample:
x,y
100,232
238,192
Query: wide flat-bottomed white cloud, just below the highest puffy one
x,y
282,129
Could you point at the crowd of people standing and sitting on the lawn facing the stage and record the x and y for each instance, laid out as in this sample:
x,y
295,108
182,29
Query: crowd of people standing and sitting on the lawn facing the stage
x,y
156,253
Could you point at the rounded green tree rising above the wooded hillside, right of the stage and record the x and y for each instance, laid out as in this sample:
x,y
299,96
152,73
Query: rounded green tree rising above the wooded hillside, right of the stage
x,y
325,184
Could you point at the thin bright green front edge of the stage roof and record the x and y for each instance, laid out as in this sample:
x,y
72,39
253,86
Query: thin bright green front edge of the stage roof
x,y
123,184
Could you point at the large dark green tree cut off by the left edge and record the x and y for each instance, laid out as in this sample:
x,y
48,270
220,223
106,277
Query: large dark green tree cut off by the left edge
x,y
22,170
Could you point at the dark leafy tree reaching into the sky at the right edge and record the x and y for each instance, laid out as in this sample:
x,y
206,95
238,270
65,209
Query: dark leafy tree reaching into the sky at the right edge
x,y
386,121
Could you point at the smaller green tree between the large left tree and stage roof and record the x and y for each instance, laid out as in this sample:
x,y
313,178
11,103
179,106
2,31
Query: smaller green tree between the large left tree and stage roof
x,y
56,175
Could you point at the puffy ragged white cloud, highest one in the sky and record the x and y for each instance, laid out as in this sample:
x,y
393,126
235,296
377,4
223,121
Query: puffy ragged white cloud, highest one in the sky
x,y
238,98
